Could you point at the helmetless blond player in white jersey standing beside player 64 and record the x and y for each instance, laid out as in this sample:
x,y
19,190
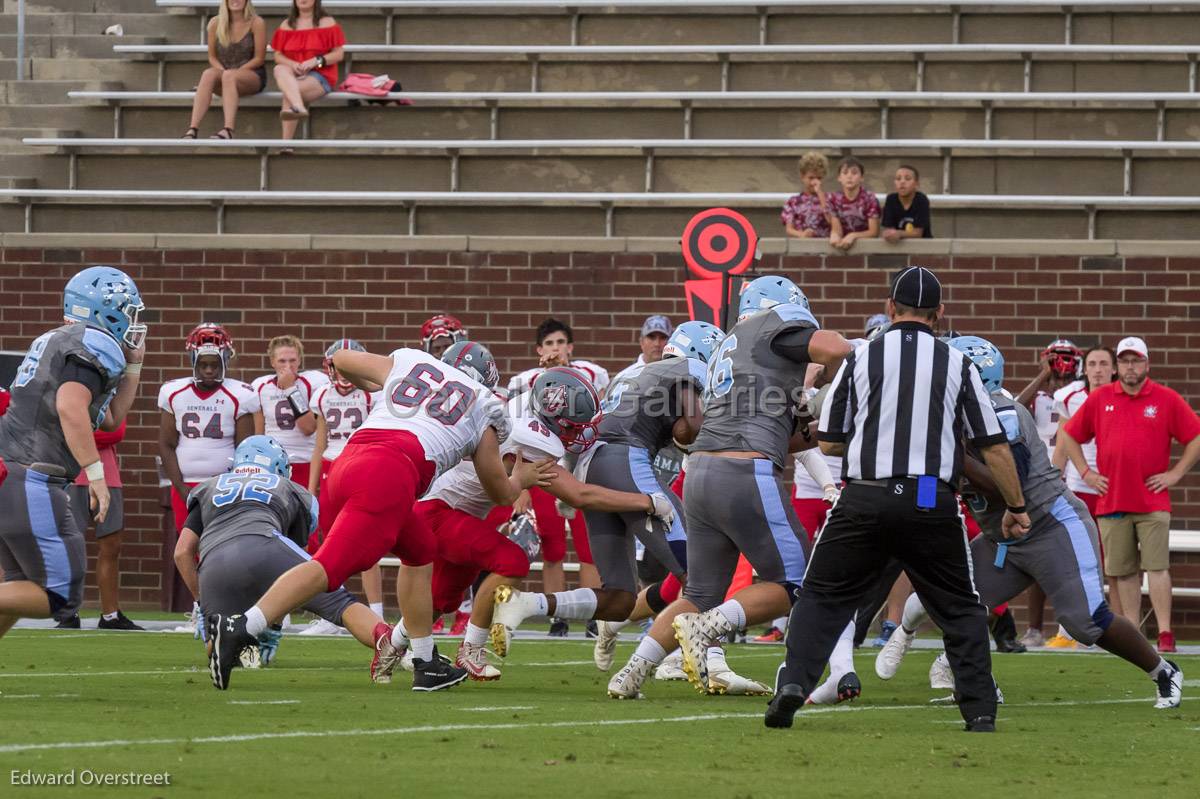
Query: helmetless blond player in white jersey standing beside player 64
x,y
285,404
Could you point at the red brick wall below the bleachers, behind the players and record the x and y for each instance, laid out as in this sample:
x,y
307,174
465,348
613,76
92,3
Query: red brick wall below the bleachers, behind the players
x,y
381,298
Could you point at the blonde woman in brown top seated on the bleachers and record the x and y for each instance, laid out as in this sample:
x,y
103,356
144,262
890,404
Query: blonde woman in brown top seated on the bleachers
x,y
237,55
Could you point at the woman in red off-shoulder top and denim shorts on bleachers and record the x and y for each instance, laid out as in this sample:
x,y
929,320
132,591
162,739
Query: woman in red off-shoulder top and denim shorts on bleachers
x,y
308,50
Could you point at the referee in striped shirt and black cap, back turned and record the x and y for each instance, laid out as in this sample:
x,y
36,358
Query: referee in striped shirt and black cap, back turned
x,y
898,412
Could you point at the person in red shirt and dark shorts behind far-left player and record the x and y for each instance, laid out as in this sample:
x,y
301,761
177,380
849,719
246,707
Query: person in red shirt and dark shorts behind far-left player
x,y
109,534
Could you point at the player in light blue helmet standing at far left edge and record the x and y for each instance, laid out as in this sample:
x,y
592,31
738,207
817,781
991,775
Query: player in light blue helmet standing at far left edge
x,y
75,380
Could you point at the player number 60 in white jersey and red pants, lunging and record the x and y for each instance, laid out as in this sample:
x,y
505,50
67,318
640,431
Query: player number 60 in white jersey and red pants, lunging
x,y
434,416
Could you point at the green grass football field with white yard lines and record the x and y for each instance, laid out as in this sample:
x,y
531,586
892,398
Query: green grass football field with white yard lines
x,y
315,726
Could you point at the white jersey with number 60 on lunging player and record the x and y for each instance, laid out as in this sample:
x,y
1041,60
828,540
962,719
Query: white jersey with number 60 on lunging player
x,y
442,406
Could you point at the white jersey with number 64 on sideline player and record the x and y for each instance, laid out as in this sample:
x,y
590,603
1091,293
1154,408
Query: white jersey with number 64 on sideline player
x,y
207,423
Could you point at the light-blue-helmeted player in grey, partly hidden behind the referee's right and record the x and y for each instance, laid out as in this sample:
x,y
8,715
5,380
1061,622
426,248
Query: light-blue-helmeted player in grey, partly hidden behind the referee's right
x,y
1061,551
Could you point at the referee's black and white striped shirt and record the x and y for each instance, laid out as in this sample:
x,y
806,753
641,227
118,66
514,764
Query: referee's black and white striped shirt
x,y
903,405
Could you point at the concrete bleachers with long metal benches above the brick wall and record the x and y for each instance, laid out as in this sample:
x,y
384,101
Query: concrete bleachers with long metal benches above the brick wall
x,y
620,118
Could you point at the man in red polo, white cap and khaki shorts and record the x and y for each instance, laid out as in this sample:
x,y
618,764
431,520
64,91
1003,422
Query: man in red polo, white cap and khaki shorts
x,y
1133,423
